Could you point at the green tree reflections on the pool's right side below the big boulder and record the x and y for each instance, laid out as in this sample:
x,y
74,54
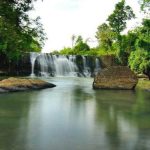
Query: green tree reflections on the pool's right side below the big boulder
x,y
125,115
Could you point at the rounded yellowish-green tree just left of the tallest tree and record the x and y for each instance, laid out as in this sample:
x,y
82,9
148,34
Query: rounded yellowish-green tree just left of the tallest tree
x,y
105,37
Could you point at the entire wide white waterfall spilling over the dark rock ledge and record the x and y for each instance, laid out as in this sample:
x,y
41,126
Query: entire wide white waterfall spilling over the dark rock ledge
x,y
59,65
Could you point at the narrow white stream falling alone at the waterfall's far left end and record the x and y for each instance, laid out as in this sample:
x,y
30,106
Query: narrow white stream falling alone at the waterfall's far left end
x,y
33,57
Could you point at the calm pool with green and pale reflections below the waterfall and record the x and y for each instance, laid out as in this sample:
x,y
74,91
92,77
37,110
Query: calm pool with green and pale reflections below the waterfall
x,y
73,116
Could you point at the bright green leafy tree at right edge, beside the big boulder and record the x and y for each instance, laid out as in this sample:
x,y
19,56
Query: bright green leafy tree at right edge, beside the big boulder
x,y
139,59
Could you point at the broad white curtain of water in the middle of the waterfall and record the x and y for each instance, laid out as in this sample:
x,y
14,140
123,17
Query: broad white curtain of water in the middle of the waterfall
x,y
52,65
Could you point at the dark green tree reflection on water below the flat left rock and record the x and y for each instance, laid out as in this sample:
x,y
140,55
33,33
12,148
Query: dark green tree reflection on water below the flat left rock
x,y
13,108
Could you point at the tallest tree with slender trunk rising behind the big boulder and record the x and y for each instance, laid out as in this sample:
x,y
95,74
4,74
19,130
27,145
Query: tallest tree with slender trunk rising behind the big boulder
x,y
118,21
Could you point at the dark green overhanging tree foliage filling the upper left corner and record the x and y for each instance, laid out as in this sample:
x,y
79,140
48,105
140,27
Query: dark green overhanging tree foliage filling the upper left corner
x,y
19,33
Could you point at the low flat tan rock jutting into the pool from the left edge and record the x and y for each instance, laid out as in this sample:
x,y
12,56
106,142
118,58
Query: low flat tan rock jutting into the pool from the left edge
x,y
19,84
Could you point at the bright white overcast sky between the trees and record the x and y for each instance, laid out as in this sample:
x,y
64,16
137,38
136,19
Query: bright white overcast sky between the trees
x,y
63,18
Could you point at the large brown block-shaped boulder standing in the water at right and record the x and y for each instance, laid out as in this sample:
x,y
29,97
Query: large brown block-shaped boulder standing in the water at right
x,y
115,77
